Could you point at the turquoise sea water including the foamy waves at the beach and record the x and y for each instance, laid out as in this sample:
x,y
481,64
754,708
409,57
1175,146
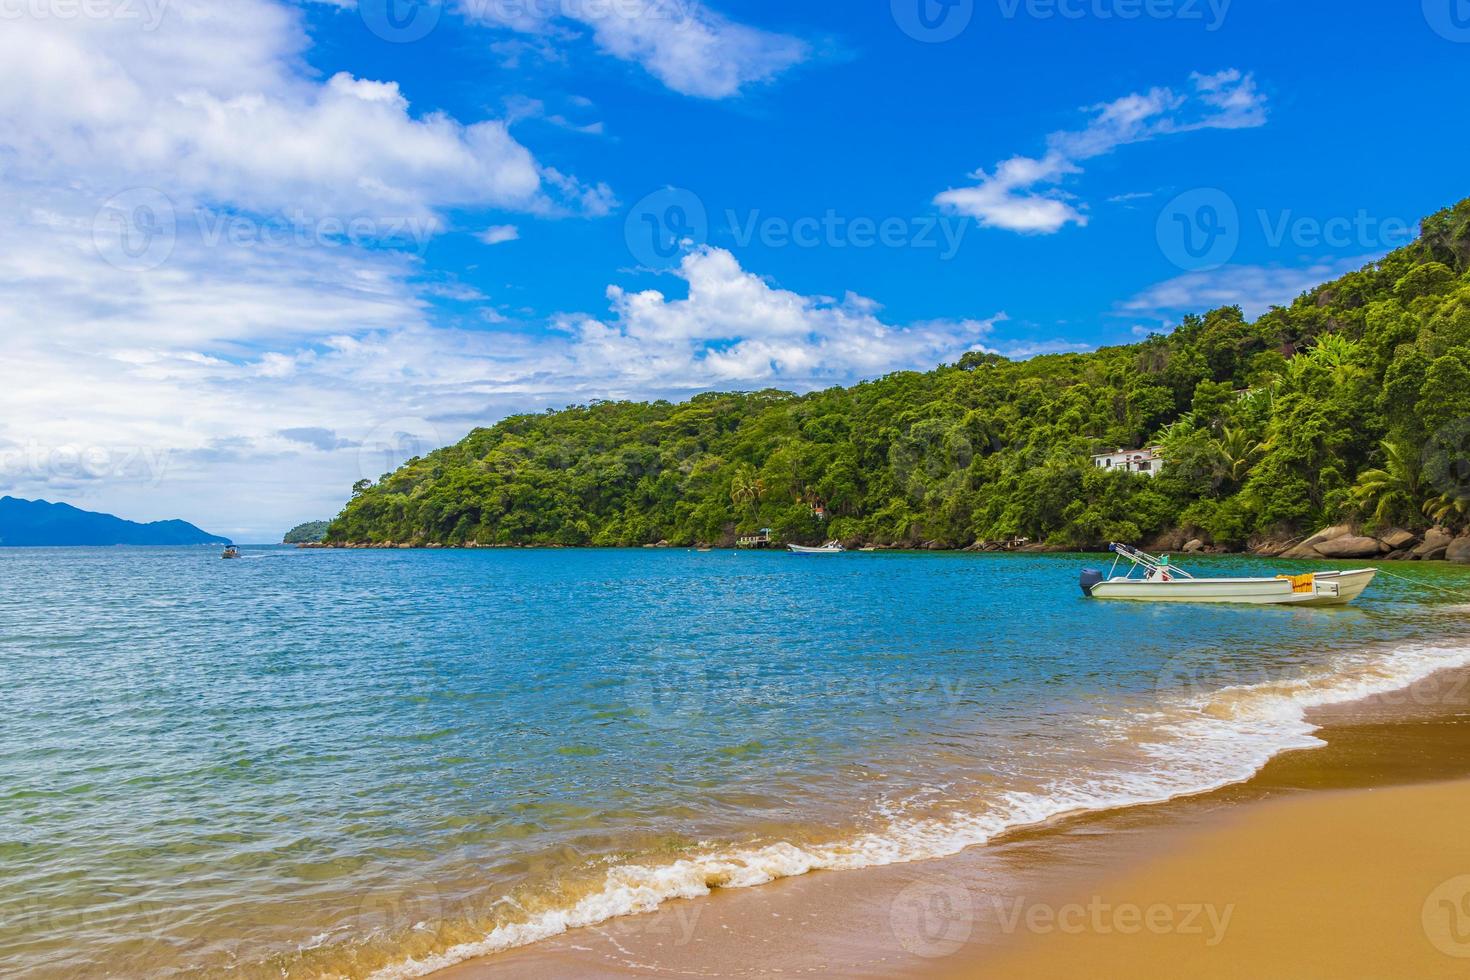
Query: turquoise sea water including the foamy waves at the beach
x,y
361,763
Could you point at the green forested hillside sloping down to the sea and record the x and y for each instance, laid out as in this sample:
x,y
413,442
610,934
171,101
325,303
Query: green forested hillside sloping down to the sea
x,y
1352,403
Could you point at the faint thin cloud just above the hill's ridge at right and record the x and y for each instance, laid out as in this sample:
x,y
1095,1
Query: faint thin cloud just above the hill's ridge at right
x,y
1253,289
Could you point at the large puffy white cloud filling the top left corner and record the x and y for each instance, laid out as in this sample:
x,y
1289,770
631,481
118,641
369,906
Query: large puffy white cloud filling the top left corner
x,y
214,107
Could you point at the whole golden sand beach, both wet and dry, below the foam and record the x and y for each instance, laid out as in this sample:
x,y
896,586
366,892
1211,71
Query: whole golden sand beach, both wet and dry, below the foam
x,y
1343,860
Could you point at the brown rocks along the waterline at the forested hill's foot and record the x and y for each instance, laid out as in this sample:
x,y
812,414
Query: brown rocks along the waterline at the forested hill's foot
x,y
1340,541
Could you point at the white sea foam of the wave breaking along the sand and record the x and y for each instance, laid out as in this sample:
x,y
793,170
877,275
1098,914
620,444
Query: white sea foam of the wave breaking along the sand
x,y
1188,744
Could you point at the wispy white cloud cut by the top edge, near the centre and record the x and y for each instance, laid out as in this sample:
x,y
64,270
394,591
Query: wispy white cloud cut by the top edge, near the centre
x,y
683,43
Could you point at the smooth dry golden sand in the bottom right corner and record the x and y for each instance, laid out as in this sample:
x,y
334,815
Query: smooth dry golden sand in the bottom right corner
x,y
1366,884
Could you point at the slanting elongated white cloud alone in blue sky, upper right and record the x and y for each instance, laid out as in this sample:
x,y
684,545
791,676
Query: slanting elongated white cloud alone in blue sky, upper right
x,y
1024,195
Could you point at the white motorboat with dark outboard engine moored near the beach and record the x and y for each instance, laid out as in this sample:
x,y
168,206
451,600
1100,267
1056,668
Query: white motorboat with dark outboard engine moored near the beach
x,y
1156,580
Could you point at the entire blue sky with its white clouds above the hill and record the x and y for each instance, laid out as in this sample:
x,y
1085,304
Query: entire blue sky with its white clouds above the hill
x,y
267,249
